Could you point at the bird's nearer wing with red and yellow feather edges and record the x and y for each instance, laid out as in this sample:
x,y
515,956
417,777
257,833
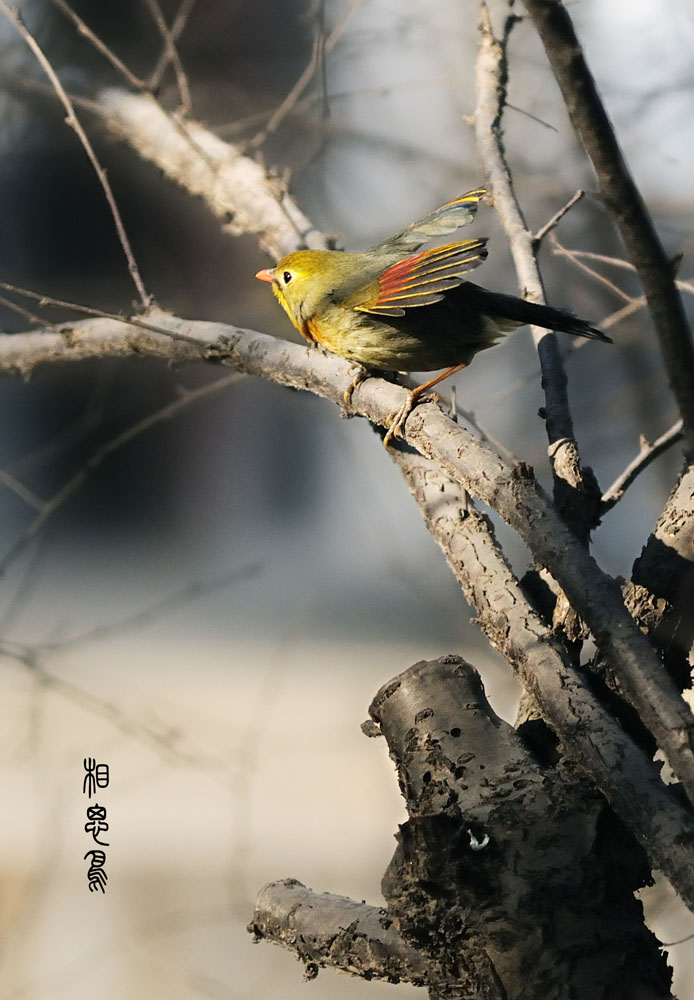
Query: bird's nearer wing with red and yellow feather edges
x,y
418,281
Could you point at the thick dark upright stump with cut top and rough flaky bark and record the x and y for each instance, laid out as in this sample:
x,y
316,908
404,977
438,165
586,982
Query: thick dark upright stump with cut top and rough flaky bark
x,y
505,875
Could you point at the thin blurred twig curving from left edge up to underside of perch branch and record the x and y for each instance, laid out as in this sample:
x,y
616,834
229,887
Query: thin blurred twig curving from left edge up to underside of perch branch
x,y
49,507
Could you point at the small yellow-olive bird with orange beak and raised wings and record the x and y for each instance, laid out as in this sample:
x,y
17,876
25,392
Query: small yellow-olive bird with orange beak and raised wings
x,y
391,309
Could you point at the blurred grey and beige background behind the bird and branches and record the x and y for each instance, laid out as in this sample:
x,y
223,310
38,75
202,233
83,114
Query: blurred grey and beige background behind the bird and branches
x,y
212,611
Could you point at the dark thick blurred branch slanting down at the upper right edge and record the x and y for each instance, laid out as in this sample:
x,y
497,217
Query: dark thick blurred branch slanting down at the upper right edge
x,y
622,199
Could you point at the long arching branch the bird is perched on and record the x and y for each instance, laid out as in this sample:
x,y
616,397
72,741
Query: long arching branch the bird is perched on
x,y
512,491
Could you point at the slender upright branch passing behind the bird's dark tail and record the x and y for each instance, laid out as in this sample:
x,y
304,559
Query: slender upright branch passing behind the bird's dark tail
x,y
575,493
